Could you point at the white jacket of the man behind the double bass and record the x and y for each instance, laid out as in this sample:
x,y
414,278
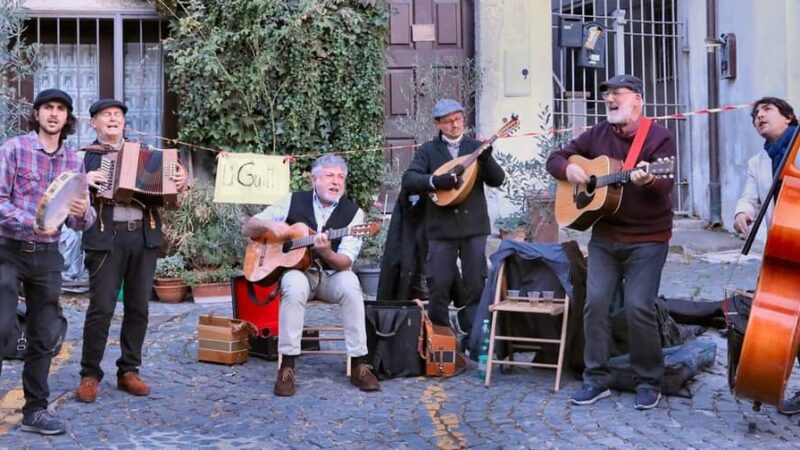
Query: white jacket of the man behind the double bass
x,y
759,180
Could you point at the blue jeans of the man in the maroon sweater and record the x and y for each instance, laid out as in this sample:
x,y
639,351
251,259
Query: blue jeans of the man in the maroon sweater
x,y
640,266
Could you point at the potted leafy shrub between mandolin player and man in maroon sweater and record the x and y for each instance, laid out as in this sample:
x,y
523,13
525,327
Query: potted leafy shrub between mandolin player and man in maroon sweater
x,y
531,189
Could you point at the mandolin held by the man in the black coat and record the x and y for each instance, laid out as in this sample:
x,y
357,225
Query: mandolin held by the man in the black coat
x,y
452,197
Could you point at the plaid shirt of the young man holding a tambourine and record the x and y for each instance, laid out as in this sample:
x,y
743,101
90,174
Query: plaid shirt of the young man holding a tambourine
x,y
25,173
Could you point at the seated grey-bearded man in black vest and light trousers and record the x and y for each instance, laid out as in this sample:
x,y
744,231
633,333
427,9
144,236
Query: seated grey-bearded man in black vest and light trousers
x,y
329,278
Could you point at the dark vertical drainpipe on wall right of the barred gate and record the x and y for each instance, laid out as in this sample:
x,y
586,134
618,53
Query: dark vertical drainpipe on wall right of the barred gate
x,y
714,189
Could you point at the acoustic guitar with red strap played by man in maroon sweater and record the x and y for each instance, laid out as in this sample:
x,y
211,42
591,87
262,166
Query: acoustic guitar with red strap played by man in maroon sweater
x,y
579,206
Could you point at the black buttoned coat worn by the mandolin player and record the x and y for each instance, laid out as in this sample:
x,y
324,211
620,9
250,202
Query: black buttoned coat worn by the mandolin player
x,y
470,217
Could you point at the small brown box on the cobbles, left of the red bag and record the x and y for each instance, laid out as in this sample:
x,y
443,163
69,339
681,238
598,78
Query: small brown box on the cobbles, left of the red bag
x,y
223,340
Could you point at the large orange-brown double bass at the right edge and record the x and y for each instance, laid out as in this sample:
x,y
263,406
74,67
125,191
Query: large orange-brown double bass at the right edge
x,y
773,330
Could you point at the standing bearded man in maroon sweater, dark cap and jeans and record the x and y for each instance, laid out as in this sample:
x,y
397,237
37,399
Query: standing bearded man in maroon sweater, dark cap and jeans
x,y
630,244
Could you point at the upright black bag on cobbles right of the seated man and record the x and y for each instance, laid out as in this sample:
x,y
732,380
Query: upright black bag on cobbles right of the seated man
x,y
394,331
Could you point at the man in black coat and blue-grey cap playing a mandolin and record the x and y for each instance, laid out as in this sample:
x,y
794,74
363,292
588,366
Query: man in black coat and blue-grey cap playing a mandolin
x,y
454,230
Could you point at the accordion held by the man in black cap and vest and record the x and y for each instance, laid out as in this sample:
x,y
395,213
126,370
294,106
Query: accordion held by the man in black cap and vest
x,y
140,174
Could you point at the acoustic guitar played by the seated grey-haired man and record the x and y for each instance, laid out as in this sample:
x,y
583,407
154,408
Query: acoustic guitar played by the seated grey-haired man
x,y
268,256
